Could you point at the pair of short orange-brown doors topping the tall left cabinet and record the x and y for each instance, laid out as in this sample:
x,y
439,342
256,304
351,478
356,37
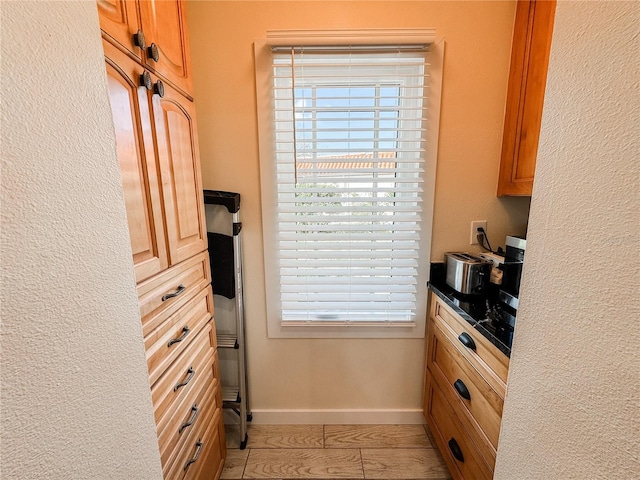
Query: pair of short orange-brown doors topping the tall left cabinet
x,y
154,32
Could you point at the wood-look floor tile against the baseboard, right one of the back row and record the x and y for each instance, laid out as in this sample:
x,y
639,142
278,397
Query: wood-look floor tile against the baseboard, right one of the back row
x,y
375,436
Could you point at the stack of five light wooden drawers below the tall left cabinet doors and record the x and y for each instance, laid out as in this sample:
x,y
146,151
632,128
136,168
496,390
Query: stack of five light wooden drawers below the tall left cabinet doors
x,y
182,359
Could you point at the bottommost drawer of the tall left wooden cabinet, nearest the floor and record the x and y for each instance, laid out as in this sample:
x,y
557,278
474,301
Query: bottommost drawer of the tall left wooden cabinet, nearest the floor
x,y
198,445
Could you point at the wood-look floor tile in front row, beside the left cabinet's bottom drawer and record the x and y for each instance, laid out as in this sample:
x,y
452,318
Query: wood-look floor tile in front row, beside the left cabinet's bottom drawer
x,y
304,463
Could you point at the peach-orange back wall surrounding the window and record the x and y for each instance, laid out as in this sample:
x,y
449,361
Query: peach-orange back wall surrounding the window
x,y
353,374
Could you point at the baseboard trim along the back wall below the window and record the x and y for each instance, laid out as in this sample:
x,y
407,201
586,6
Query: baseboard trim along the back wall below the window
x,y
337,417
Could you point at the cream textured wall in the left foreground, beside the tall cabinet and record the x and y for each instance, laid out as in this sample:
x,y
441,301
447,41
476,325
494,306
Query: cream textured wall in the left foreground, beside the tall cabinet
x,y
75,394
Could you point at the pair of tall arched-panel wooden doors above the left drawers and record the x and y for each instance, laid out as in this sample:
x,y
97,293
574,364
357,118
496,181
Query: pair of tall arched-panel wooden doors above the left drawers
x,y
158,154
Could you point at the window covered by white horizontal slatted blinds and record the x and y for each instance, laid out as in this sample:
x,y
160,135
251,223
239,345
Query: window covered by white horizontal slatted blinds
x,y
347,189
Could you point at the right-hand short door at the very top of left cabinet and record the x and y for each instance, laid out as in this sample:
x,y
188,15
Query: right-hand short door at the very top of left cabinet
x,y
165,25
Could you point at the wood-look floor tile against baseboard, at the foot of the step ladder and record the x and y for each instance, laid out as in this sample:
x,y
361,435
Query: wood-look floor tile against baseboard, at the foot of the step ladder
x,y
285,436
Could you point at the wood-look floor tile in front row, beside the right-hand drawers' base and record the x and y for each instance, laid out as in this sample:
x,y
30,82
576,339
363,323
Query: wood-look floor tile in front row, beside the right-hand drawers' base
x,y
403,463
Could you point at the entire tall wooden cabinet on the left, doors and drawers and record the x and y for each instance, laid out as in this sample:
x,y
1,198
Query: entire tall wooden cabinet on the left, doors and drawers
x,y
154,120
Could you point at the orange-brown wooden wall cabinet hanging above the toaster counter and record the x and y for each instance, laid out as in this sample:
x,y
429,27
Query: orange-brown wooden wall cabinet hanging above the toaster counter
x,y
532,34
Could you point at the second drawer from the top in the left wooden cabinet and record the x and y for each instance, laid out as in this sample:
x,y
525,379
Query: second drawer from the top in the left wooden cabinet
x,y
171,338
